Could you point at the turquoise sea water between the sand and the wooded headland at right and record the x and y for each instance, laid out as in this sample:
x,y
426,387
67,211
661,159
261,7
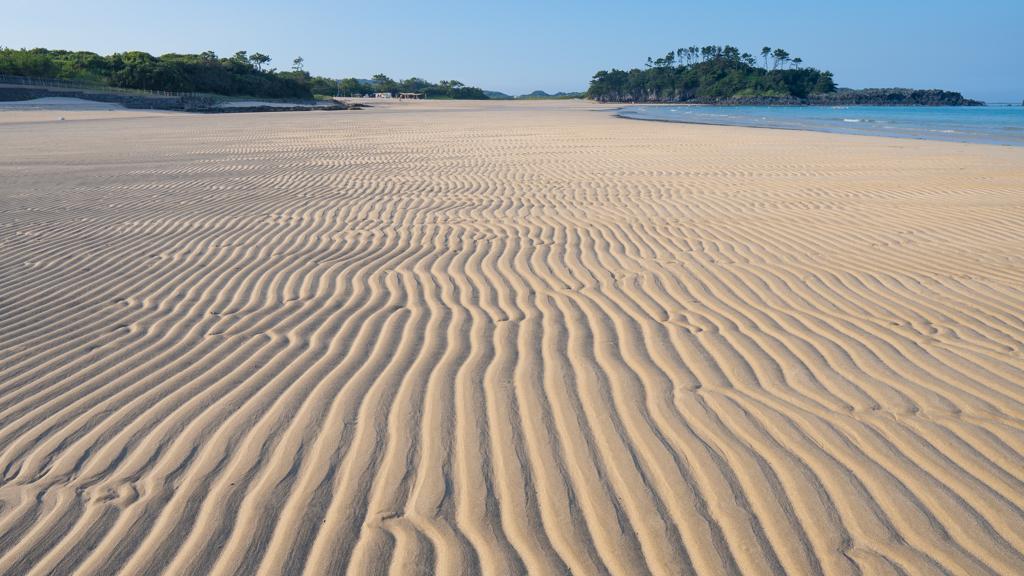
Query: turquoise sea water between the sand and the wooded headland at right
x,y
992,125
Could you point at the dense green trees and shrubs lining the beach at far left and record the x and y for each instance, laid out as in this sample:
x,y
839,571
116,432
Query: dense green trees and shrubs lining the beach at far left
x,y
241,74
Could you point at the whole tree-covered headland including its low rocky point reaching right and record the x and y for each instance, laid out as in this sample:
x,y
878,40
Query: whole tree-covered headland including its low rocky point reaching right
x,y
726,75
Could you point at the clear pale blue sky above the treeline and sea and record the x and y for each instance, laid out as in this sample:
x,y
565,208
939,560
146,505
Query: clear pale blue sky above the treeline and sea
x,y
521,47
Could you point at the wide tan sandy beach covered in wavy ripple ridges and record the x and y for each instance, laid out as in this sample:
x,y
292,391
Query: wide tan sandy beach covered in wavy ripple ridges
x,y
504,339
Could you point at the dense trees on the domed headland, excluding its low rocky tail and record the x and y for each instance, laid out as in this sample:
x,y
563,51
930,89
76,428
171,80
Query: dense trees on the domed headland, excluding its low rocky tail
x,y
712,73
